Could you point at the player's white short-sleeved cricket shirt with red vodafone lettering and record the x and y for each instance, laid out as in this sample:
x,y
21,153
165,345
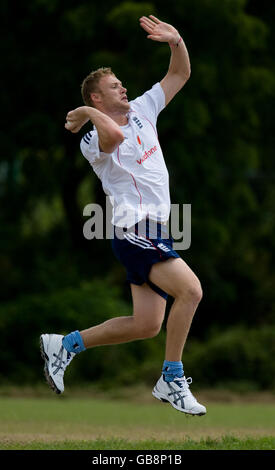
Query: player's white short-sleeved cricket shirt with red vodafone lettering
x,y
135,174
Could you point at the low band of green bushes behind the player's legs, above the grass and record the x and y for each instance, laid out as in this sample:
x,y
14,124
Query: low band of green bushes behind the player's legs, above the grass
x,y
237,357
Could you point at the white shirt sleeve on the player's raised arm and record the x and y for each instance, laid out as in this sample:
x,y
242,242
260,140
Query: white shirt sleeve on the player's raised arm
x,y
151,103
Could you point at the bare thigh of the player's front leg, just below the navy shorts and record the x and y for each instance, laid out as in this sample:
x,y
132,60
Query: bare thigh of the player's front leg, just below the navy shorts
x,y
174,277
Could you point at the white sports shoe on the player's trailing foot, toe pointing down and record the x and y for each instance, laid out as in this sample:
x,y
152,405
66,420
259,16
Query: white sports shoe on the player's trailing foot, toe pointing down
x,y
56,358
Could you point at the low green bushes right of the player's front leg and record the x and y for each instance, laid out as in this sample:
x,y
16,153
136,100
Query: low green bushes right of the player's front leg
x,y
238,358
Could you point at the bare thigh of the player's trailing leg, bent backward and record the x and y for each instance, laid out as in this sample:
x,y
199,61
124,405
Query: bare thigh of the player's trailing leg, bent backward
x,y
148,306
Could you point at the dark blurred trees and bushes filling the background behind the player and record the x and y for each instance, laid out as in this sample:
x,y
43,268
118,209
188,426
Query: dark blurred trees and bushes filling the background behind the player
x,y
218,140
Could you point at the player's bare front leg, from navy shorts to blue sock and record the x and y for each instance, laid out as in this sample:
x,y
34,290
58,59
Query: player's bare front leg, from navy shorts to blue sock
x,y
178,280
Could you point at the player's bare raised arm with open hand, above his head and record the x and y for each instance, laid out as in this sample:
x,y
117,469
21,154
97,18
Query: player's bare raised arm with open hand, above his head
x,y
179,68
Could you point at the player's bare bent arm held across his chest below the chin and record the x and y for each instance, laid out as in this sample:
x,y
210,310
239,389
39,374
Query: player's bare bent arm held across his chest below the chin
x,y
110,135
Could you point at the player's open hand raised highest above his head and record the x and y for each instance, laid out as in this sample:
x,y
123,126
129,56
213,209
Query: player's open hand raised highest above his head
x,y
158,30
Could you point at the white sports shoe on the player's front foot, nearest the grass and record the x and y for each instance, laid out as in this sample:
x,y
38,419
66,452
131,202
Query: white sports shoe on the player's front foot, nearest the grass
x,y
178,394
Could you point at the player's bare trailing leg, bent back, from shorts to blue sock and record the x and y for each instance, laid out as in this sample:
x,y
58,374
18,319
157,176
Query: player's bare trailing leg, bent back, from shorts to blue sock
x,y
148,314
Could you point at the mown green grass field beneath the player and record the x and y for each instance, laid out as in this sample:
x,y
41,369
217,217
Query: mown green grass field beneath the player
x,y
75,423
